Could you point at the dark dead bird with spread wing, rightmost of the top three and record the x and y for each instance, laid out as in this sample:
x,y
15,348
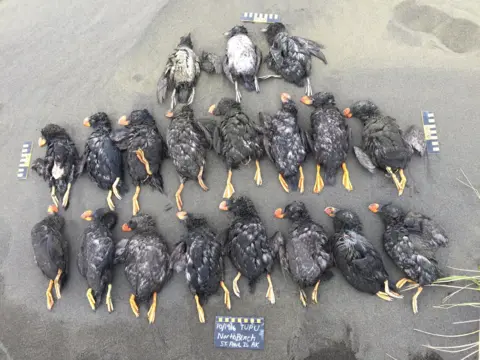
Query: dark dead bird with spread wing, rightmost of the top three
x,y
291,56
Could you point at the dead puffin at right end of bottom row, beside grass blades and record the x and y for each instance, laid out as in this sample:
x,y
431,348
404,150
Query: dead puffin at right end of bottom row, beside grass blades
x,y
411,240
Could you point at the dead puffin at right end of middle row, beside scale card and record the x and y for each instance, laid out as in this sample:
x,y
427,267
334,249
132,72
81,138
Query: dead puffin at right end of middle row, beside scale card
x,y
385,146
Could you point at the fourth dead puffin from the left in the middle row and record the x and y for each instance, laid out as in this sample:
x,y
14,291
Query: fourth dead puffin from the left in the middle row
x,y
188,141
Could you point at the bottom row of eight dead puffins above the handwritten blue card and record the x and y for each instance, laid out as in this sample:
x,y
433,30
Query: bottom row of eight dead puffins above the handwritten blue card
x,y
306,253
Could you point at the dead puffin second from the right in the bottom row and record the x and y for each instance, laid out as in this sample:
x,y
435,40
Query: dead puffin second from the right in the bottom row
x,y
356,258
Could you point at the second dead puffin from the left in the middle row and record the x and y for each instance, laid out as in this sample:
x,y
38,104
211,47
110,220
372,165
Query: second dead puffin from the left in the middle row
x,y
102,159
